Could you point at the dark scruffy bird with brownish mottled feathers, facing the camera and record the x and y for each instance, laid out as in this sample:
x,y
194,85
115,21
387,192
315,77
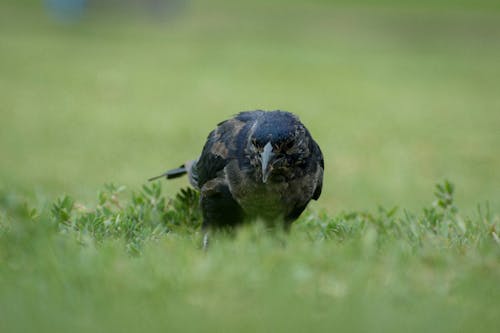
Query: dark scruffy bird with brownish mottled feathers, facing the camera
x,y
259,164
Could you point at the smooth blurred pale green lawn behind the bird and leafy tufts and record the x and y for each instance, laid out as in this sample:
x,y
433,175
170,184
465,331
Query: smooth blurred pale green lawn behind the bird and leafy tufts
x,y
398,95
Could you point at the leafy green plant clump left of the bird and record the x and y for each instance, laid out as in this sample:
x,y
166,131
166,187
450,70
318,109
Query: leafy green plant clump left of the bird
x,y
148,215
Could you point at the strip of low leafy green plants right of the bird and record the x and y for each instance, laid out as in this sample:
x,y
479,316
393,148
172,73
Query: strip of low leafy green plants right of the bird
x,y
440,222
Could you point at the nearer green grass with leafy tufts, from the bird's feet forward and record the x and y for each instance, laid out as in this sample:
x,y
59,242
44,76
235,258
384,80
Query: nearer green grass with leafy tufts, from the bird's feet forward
x,y
136,264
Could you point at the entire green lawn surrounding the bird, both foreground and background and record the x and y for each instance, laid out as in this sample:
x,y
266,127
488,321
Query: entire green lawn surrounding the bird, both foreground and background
x,y
399,97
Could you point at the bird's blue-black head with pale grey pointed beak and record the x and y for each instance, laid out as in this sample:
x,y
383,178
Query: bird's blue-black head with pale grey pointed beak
x,y
279,147
